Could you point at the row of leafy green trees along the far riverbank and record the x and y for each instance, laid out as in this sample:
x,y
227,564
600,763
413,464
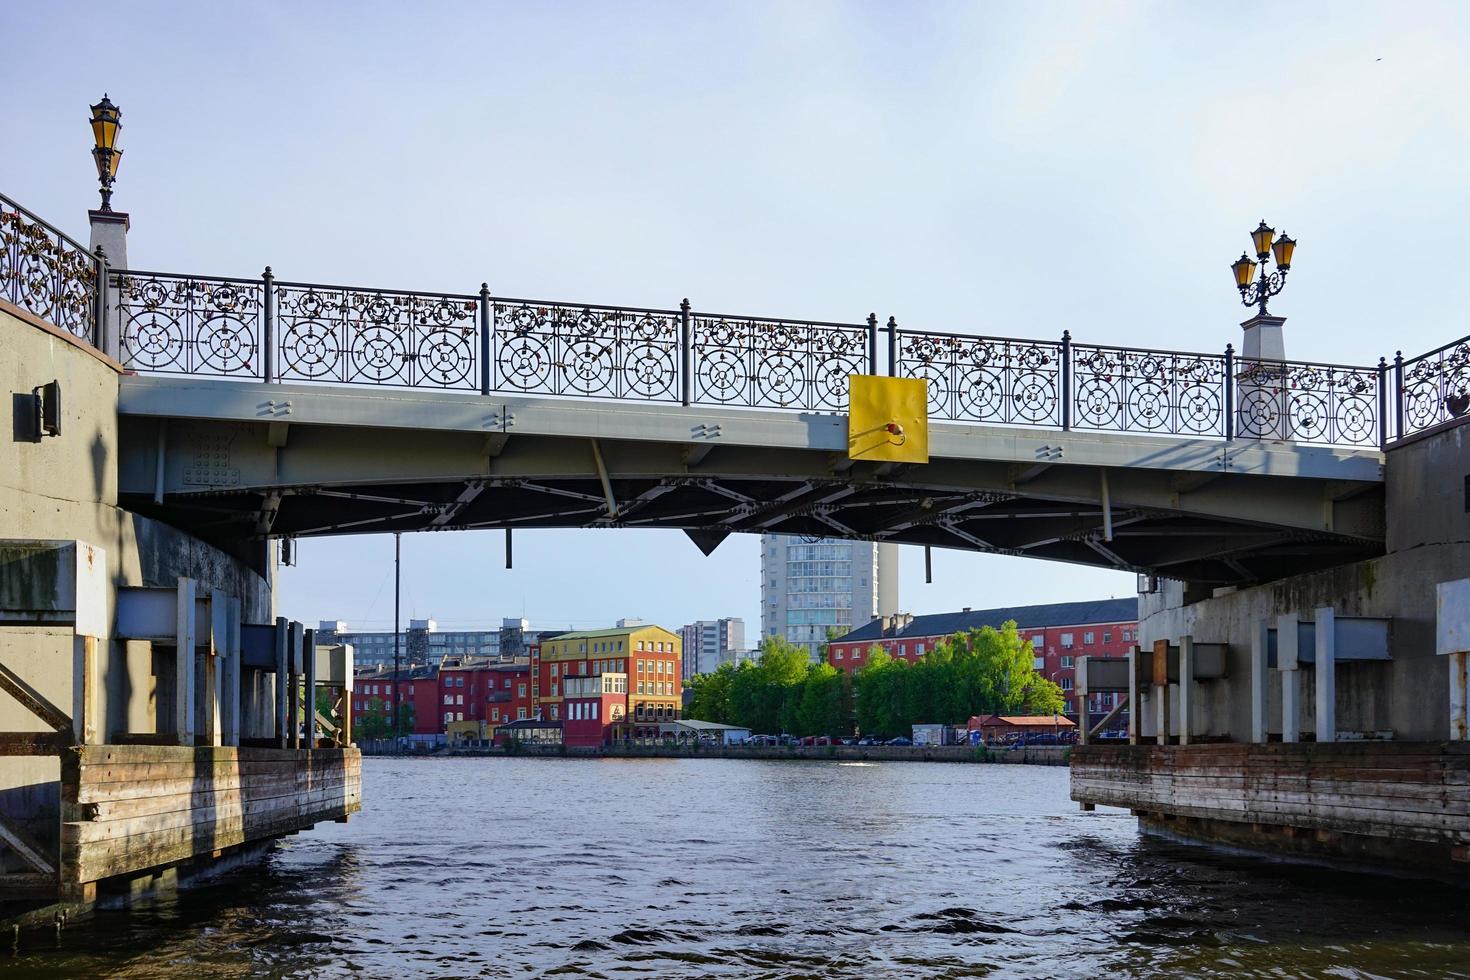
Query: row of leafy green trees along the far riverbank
x,y
978,672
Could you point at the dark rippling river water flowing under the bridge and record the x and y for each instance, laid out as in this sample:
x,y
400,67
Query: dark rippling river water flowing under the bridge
x,y
755,869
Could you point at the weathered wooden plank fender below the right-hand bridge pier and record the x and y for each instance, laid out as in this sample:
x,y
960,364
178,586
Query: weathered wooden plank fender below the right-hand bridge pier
x,y
1409,791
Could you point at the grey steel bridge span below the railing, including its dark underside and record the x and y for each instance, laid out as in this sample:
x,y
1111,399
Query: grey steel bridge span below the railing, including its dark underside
x,y
221,458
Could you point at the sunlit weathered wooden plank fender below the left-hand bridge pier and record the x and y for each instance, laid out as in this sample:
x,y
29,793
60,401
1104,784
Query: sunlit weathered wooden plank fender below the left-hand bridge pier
x,y
136,807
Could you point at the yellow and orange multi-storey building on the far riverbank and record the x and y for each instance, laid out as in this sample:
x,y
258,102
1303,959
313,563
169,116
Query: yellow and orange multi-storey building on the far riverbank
x,y
650,656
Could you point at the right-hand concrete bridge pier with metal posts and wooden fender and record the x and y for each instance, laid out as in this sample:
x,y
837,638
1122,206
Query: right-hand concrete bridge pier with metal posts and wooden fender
x,y
1334,729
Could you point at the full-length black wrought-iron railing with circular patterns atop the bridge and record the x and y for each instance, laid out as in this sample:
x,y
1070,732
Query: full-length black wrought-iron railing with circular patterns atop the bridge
x,y
273,331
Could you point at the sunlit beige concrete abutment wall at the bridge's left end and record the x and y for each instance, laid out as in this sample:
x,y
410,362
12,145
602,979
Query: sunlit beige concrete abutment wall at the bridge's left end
x,y
67,489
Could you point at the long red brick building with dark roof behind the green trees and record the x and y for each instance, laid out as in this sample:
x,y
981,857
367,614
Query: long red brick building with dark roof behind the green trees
x,y
1058,633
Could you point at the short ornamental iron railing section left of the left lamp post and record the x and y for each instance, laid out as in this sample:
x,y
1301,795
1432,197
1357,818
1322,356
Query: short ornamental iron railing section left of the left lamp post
x,y
49,274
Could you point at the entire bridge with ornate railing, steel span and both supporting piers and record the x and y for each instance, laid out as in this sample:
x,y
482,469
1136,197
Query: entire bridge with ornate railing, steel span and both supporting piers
x,y
251,409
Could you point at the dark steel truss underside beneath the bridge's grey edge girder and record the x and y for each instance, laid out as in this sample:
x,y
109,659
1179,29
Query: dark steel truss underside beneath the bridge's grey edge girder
x,y
1040,512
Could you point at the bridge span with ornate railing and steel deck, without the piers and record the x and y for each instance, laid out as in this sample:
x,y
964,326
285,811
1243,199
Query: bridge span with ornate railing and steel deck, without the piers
x,y
264,408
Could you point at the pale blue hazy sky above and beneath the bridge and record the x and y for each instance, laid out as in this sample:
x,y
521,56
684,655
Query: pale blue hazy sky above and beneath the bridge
x,y
1008,170
